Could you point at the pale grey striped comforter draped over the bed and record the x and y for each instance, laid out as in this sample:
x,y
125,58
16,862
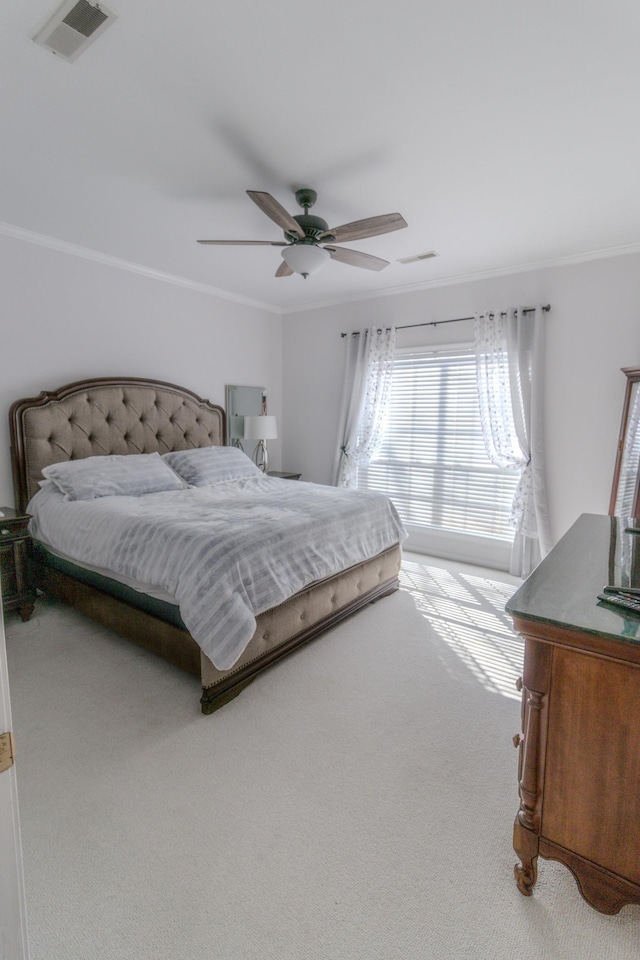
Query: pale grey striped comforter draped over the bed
x,y
226,552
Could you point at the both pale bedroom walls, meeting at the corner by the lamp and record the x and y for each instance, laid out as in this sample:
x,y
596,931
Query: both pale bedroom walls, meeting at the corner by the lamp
x,y
65,318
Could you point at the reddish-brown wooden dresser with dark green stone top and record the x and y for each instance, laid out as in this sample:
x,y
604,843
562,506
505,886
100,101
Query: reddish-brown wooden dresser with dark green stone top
x,y
579,750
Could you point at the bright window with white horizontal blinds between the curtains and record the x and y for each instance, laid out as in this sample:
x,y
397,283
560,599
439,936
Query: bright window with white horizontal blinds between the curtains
x,y
433,463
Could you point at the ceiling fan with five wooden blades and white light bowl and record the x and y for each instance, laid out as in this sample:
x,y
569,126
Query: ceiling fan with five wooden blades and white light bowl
x,y
309,242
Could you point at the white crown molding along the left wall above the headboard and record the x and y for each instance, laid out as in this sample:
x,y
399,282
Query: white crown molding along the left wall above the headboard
x,y
86,253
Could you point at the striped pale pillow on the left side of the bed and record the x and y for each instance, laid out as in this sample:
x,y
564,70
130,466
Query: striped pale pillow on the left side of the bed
x,y
130,475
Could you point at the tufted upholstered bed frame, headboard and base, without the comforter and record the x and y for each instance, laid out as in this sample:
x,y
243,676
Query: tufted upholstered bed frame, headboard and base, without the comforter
x,y
118,417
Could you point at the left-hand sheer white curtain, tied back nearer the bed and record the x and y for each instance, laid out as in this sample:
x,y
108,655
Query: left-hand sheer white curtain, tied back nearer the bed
x,y
365,396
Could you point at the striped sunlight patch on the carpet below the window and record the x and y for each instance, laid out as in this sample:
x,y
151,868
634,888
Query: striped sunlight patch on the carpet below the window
x,y
467,613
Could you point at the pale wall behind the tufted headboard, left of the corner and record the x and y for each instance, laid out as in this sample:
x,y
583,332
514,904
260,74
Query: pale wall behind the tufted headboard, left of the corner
x,y
65,318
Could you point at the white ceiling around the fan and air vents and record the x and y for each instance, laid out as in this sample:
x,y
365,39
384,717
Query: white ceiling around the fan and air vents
x,y
505,132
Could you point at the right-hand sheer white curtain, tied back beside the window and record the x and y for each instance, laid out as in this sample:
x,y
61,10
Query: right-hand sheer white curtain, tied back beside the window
x,y
509,356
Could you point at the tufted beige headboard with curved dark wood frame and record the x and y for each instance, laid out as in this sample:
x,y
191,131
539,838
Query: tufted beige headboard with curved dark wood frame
x,y
102,416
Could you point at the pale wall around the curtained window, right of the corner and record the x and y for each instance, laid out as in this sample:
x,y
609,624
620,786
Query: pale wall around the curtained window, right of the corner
x,y
593,329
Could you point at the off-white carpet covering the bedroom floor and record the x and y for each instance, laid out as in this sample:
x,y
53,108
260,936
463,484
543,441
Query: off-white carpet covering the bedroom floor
x,y
354,803
